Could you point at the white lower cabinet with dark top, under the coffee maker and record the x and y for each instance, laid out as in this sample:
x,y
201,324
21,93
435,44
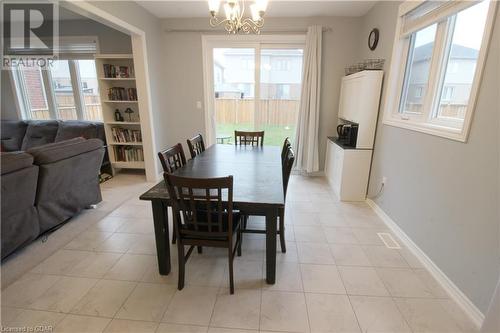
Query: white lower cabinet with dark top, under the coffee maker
x,y
347,171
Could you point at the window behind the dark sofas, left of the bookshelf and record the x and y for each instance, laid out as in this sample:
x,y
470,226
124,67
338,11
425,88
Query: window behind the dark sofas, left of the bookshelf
x,y
66,90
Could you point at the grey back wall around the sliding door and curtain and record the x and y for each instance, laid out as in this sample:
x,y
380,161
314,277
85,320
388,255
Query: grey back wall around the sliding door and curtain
x,y
184,79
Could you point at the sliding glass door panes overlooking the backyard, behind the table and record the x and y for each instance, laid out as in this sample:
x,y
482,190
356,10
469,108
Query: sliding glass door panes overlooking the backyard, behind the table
x,y
255,87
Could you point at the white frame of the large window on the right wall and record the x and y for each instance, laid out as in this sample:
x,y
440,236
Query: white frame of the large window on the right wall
x,y
426,122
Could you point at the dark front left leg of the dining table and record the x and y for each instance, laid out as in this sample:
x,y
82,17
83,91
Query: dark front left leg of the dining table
x,y
160,219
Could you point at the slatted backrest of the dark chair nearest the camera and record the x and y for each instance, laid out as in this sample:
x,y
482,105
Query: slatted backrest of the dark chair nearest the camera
x,y
205,204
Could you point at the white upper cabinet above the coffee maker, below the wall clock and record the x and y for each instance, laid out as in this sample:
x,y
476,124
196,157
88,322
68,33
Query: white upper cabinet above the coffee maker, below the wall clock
x,y
359,103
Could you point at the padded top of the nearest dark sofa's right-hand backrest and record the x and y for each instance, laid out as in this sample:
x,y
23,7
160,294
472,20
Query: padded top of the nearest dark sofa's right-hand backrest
x,y
63,150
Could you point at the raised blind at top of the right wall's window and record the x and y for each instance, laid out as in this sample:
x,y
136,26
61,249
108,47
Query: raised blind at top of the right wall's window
x,y
431,12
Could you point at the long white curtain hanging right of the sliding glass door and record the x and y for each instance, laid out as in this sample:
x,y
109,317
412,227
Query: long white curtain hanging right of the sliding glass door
x,y
306,140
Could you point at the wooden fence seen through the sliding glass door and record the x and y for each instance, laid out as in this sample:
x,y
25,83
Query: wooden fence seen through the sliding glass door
x,y
269,112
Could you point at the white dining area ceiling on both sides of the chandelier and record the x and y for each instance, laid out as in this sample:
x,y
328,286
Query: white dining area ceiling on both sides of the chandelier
x,y
276,8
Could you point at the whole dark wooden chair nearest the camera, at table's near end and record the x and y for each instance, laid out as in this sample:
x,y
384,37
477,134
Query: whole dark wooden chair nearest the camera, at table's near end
x,y
206,219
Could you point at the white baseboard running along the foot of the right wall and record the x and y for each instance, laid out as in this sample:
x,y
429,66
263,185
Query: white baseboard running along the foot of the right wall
x,y
453,291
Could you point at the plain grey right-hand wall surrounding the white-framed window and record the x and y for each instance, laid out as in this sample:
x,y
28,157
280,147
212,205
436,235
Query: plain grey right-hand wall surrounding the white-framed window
x,y
444,194
